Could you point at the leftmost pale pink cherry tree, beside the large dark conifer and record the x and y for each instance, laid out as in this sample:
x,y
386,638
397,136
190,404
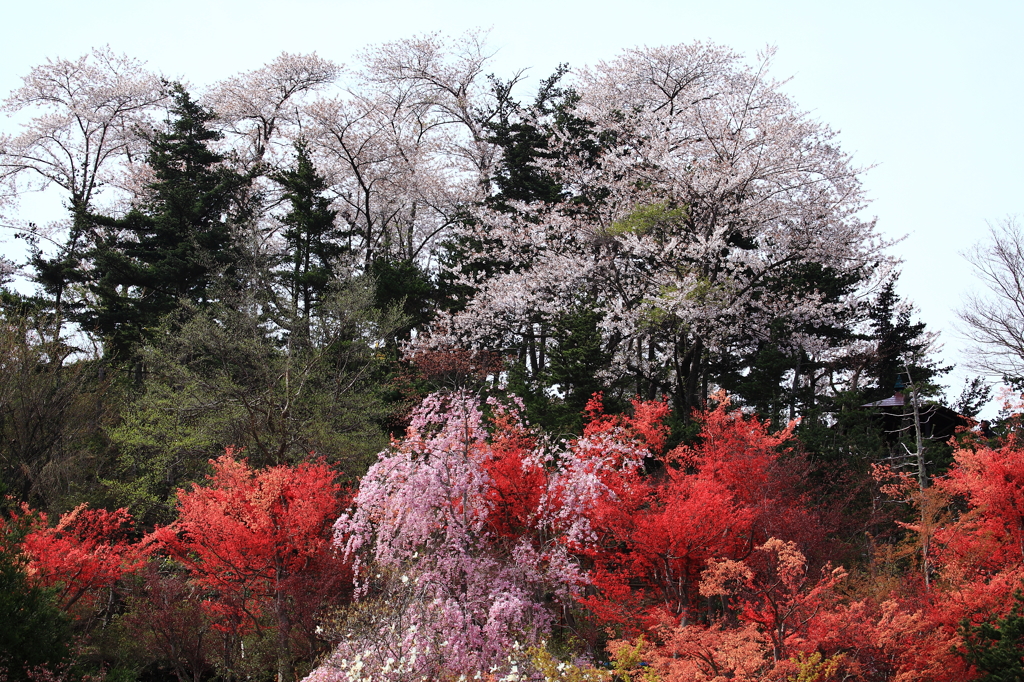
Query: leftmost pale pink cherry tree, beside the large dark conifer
x,y
81,125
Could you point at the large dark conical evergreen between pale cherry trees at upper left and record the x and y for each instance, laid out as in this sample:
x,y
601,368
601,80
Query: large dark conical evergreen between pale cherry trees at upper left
x,y
178,244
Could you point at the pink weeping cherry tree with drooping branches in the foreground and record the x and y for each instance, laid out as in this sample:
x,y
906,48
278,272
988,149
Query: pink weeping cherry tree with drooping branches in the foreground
x,y
464,544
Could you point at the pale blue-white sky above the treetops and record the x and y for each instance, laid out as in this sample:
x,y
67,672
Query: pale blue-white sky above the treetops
x,y
926,96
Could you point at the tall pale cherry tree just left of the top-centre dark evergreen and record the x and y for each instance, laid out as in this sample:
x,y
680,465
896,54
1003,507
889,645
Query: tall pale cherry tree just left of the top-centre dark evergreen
x,y
406,148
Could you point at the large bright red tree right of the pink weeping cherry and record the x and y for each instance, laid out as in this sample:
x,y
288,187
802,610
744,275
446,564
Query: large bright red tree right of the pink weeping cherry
x,y
658,529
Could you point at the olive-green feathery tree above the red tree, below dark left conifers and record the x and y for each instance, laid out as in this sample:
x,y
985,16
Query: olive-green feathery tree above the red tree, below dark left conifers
x,y
219,378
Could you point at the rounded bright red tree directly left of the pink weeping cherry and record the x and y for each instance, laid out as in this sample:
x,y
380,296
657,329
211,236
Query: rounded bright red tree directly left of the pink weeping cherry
x,y
261,541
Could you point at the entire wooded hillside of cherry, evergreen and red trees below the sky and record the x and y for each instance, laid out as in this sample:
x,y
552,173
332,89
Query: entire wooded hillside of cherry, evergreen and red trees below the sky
x,y
396,373
